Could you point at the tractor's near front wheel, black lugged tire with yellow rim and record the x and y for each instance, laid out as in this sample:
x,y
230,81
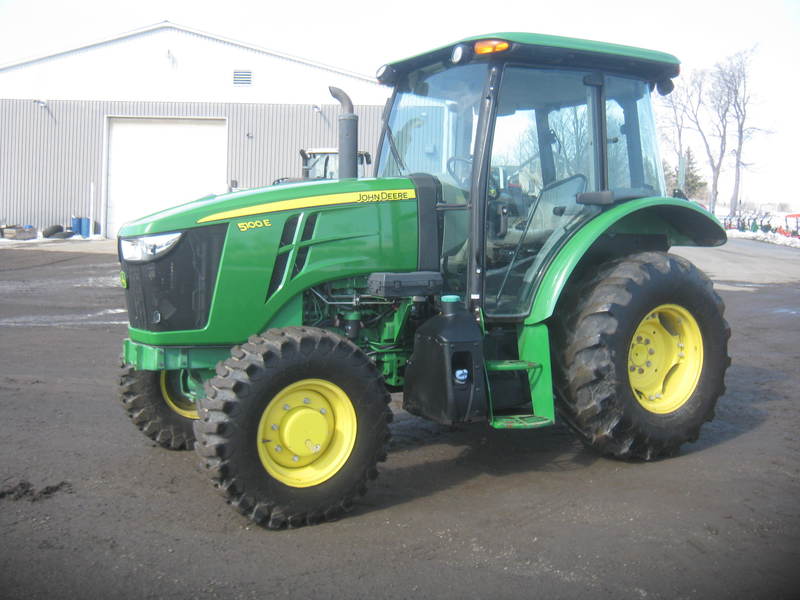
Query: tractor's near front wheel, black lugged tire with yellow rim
x,y
293,426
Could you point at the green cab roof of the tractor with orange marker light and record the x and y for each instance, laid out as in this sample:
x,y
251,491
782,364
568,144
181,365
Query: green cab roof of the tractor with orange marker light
x,y
553,50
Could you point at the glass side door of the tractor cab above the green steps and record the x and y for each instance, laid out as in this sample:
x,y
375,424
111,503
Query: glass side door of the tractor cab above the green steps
x,y
543,155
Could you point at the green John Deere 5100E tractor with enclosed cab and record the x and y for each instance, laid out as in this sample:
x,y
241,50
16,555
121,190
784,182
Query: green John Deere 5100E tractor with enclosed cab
x,y
510,259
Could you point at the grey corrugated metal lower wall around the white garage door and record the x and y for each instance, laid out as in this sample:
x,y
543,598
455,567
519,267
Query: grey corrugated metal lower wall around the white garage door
x,y
51,154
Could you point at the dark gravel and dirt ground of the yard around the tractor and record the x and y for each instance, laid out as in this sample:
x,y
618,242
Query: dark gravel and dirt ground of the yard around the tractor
x,y
90,508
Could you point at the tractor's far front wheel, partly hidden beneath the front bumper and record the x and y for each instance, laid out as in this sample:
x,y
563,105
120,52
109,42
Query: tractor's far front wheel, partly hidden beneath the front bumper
x,y
158,406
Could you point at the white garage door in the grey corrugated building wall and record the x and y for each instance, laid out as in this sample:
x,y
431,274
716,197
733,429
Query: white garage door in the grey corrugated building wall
x,y
155,164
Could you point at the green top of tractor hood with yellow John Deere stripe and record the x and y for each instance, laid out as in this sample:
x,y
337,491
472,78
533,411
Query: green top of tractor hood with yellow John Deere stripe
x,y
251,206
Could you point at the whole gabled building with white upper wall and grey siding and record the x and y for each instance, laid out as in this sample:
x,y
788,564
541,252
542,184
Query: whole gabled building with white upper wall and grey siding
x,y
156,117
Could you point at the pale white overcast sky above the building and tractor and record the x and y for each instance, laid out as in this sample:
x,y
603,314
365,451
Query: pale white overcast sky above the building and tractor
x,y
360,36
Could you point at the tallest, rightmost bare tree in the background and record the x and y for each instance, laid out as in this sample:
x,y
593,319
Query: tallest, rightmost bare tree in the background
x,y
733,73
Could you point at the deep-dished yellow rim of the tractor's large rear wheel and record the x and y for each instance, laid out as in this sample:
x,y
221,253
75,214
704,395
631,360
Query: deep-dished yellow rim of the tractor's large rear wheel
x,y
665,359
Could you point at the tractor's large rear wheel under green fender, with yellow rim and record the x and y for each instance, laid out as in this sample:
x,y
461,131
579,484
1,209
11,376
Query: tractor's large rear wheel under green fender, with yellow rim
x,y
642,355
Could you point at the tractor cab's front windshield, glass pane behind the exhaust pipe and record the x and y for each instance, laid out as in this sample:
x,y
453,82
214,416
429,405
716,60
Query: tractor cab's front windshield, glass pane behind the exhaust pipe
x,y
433,122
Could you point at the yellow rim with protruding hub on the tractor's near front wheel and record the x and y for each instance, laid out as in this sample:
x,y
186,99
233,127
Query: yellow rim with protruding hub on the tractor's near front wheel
x,y
306,433
